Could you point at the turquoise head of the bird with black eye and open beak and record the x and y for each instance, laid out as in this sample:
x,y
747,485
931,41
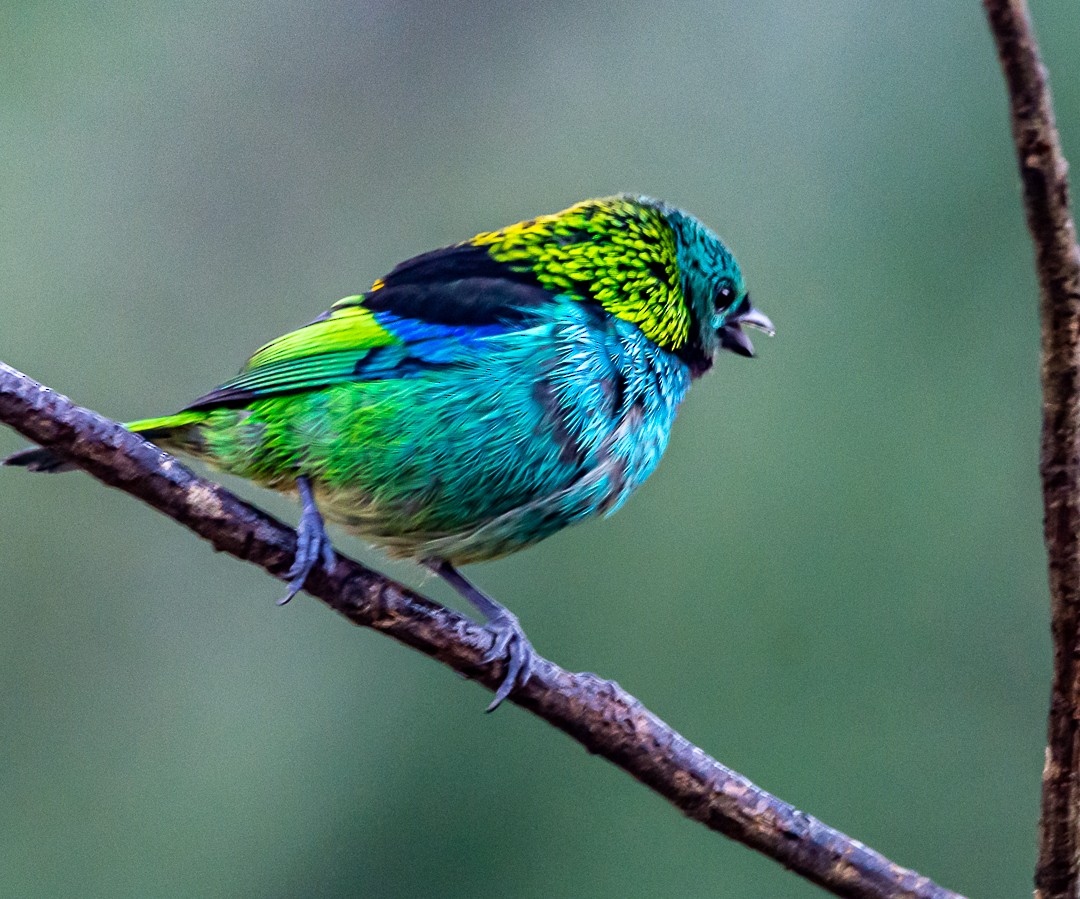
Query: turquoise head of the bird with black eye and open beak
x,y
714,293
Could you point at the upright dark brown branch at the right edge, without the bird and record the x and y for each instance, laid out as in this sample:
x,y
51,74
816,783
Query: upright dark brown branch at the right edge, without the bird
x,y
1044,176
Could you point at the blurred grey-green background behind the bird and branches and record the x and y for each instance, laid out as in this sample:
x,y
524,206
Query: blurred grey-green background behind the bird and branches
x,y
835,582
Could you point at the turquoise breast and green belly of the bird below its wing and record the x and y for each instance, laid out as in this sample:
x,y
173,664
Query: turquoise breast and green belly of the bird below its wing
x,y
536,431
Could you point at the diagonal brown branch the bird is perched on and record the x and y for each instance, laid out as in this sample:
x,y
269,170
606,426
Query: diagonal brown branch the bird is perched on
x,y
601,716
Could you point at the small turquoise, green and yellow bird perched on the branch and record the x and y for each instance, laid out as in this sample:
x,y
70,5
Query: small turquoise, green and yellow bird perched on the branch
x,y
481,397
